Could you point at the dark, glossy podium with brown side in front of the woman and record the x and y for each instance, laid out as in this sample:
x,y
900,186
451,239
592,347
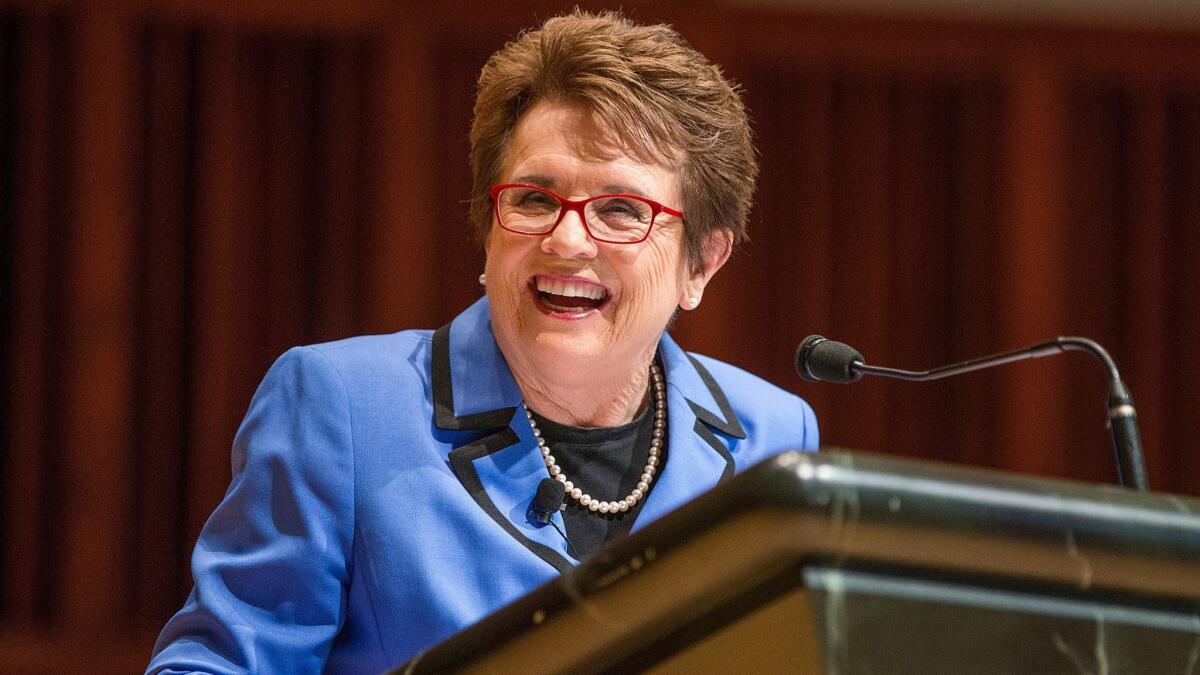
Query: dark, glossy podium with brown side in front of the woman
x,y
850,563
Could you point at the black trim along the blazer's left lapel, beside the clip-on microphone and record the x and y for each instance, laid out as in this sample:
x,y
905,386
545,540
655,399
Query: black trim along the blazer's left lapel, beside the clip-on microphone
x,y
463,458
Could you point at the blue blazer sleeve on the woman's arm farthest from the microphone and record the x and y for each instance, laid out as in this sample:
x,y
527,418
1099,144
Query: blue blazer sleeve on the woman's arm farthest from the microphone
x,y
272,565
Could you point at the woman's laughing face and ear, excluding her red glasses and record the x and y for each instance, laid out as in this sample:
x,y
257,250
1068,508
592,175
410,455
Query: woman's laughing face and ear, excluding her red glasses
x,y
568,308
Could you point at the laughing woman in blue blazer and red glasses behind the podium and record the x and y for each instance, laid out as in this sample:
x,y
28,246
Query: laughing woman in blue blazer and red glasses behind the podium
x,y
382,485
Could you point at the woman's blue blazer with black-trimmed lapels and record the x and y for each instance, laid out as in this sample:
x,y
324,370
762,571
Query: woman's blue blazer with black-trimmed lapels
x,y
380,495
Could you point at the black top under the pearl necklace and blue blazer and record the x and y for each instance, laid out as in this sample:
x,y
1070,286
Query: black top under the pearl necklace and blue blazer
x,y
605,463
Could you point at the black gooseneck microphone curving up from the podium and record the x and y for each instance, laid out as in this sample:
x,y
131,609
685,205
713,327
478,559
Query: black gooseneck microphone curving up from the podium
x,y
826,361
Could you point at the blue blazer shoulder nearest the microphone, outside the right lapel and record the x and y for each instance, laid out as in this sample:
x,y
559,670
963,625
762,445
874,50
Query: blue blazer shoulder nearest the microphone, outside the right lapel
x,y
765,410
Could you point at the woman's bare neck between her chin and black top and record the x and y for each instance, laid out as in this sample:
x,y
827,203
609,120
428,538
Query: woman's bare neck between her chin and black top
x,y
610,403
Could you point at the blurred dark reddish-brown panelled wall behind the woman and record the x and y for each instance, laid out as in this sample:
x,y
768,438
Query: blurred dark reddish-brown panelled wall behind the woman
x,y
190,188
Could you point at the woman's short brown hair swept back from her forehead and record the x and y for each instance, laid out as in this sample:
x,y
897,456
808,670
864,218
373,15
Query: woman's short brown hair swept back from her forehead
x,y
646,83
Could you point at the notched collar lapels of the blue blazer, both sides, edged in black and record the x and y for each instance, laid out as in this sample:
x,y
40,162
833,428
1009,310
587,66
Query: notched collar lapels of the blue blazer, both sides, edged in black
x,y
477,403
